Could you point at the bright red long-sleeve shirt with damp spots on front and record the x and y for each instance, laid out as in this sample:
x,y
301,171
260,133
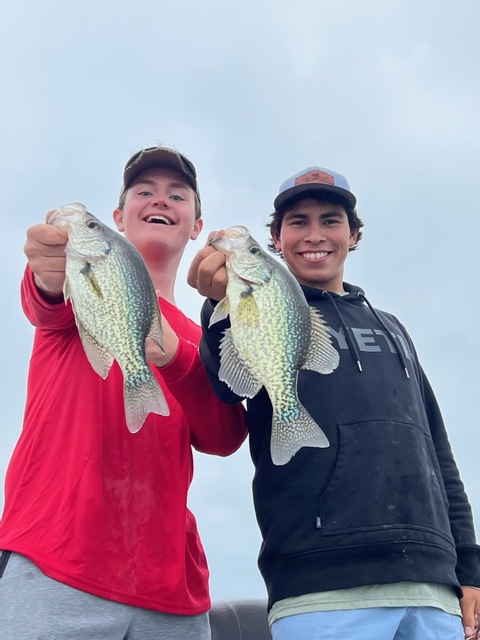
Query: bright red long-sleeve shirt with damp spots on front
x,y
93,505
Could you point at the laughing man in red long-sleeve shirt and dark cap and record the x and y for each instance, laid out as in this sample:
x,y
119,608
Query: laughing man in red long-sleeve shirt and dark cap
x,y
96,535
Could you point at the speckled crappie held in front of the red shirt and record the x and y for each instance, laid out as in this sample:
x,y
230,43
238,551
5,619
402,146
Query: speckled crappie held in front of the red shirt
x,y
115,307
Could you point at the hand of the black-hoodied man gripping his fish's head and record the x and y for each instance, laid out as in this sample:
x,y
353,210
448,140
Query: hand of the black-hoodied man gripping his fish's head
x,y
208,273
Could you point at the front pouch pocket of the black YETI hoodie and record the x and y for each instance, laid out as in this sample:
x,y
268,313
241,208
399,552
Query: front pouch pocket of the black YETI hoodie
x,y
386,477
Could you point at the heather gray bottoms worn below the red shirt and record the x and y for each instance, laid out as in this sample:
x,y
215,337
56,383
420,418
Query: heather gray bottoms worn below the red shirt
x,y
36,607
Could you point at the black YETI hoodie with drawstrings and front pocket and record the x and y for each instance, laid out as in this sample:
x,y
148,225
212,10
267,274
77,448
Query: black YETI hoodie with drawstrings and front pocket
x,y
385,502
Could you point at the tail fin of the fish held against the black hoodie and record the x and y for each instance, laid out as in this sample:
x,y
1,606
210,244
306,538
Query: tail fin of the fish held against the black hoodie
x,y
289,436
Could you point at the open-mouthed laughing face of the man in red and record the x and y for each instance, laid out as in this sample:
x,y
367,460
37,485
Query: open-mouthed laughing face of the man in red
x,y
159,210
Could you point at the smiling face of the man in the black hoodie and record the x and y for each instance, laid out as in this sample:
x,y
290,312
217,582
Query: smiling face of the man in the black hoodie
x,y
315,239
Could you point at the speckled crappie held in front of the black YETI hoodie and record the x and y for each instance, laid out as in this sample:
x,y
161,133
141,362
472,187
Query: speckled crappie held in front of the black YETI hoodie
x,y
273,334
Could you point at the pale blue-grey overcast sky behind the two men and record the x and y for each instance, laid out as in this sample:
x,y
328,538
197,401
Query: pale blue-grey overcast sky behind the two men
x,y
384,91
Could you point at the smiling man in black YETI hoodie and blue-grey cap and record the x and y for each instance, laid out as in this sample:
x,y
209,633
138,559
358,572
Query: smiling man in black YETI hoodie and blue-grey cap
x,y
373,536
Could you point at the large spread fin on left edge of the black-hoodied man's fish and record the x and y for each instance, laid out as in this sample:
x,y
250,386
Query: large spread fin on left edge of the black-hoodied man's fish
x,y
233,370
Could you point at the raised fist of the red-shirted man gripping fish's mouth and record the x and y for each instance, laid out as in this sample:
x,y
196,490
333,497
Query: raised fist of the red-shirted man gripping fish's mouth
x,y
45,251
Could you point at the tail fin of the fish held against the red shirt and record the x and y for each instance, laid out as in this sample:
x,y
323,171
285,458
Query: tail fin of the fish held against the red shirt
x,y
142,400
